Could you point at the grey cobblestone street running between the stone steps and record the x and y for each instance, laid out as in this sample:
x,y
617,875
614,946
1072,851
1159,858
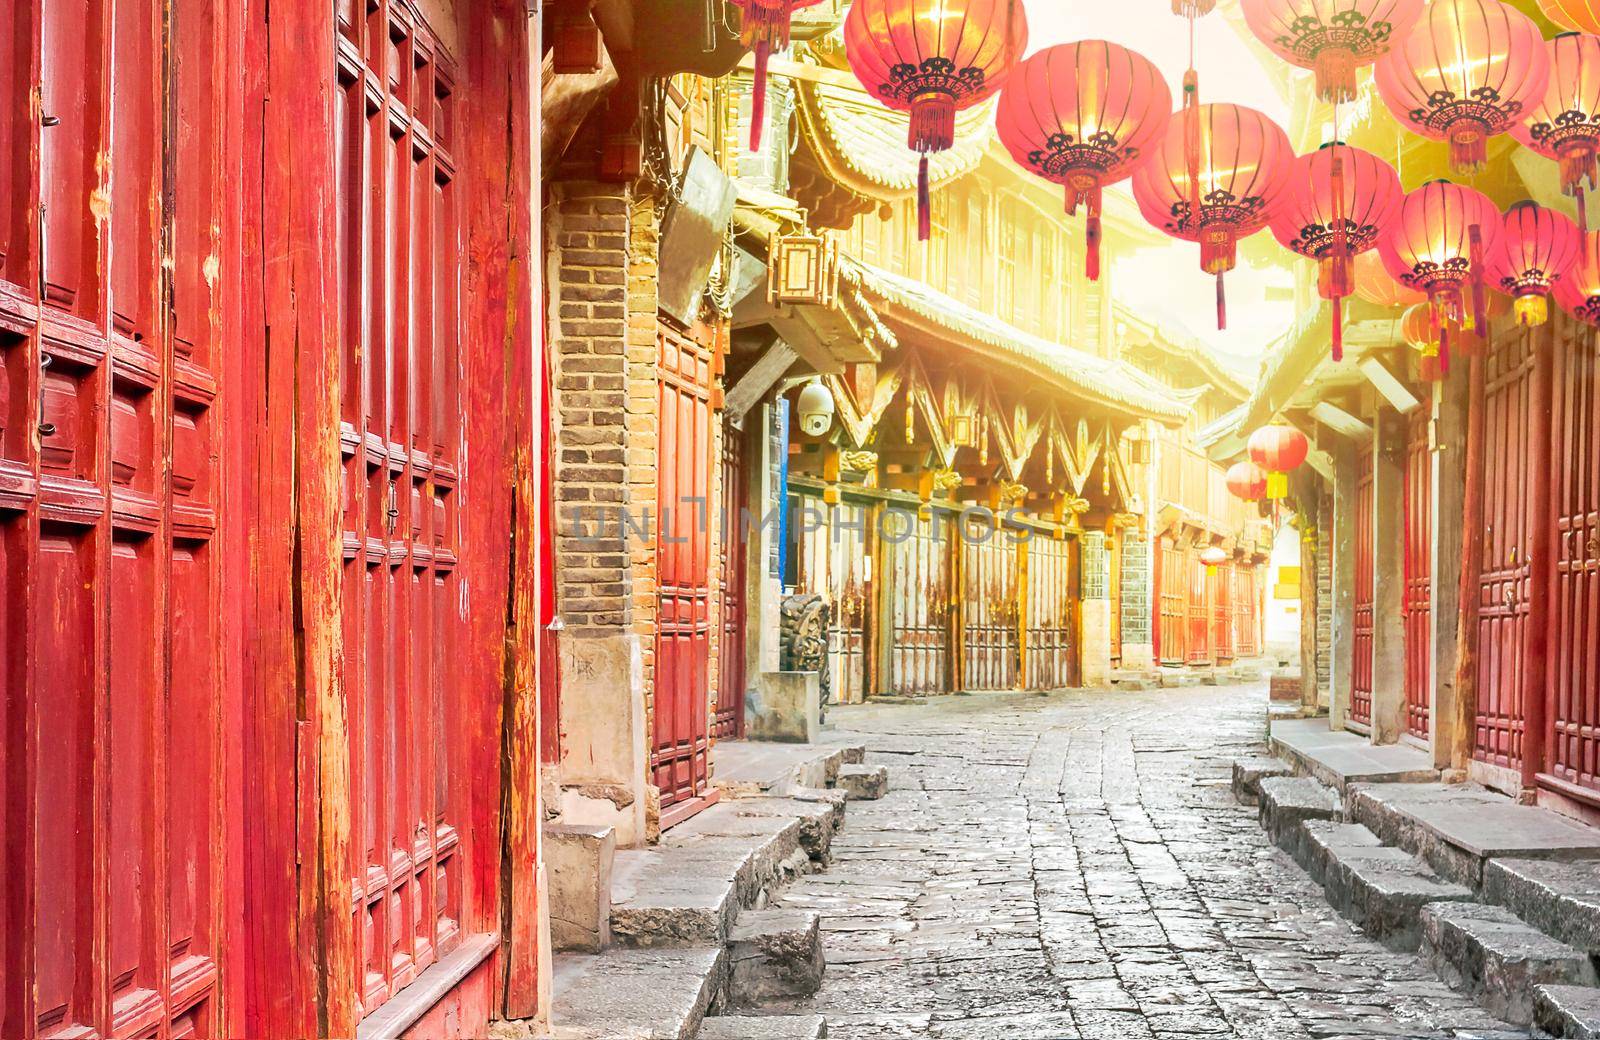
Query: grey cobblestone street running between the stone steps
x,y
1074,865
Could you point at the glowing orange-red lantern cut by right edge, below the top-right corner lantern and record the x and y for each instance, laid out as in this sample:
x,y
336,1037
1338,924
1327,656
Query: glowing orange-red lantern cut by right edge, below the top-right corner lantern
x,y
1566,126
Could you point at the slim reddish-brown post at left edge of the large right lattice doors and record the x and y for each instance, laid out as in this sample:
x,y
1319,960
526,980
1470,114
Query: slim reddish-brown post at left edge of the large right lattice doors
x,y
1463,710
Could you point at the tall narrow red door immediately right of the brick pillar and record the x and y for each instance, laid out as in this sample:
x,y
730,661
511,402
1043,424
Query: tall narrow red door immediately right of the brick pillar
x,y
682,721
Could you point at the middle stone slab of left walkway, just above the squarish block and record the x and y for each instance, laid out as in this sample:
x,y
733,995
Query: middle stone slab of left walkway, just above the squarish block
x,y
689,890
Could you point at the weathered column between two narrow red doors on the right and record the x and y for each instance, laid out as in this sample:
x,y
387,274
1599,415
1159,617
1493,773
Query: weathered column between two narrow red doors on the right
x,y
1390,460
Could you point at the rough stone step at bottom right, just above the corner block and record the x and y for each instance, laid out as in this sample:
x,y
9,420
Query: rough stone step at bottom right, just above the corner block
x,y
1497,958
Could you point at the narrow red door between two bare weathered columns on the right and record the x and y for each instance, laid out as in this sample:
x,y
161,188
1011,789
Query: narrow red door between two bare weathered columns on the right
x,y
1418,577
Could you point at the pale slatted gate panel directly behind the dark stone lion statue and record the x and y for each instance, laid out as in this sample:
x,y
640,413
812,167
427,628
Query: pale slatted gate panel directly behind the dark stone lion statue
x,y
836,551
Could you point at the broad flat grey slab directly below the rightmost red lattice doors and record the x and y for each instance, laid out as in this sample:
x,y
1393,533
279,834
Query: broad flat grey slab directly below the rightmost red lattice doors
x,y
1457,828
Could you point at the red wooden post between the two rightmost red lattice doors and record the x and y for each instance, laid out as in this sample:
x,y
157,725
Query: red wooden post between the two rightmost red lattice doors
x,y
1542,561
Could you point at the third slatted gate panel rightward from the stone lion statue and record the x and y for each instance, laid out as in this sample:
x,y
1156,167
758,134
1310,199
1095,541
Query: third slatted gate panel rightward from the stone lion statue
x,y
991,610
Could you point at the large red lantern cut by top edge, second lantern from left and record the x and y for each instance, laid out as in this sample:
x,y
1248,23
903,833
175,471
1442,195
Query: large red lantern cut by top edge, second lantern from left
x,y
934,58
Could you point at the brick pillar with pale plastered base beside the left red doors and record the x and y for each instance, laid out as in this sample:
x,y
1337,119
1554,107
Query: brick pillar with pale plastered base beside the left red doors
x,y
604,658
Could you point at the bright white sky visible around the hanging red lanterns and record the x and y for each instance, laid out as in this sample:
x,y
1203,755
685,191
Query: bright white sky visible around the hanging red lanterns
x,y
1167,282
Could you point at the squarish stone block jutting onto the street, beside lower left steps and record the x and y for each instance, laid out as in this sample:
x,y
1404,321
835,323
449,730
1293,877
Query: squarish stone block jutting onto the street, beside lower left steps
x,y
775,956
